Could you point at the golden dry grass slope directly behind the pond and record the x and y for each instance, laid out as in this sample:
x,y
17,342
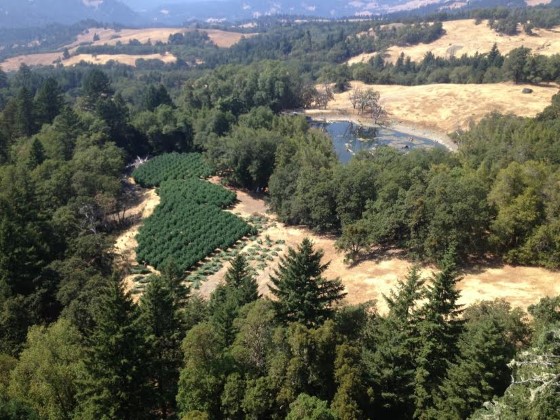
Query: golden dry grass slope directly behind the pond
x,y
448,107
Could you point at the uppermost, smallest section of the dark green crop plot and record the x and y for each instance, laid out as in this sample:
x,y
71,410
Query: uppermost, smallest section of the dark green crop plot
x,y
171,166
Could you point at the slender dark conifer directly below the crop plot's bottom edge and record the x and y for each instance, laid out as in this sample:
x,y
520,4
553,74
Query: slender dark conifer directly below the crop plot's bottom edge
x,y
164,331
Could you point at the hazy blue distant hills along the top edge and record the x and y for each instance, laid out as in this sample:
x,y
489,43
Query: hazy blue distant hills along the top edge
x,y
17,13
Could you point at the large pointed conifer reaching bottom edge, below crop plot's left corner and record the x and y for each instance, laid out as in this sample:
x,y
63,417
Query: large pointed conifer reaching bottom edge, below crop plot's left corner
x,y
116,382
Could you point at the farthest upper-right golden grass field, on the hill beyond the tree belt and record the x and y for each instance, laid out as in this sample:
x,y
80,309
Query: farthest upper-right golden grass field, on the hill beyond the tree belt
x,y
465,37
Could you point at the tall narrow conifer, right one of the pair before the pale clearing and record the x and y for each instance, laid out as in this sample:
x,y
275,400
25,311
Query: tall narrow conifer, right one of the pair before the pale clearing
x,y
439,333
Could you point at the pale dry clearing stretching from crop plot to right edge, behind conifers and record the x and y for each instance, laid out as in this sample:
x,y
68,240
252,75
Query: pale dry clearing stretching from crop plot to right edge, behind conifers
x,y
370,280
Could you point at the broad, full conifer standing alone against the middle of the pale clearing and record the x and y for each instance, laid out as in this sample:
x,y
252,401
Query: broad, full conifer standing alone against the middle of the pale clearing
x,y
302,294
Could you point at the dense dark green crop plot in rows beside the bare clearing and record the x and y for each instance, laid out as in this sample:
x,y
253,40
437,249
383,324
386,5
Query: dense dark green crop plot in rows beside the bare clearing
x,y
189,224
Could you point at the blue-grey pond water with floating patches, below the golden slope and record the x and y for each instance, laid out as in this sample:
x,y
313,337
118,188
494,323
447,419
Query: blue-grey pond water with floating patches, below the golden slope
x,y
349,138
